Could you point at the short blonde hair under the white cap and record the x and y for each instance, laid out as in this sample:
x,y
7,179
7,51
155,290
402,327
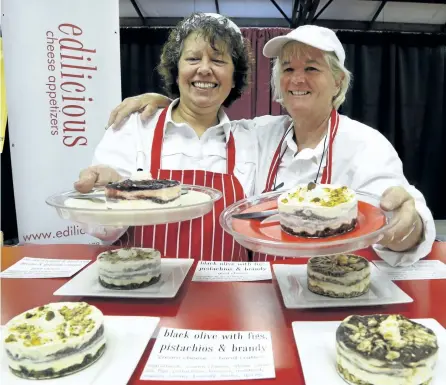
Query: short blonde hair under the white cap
x,y
337,70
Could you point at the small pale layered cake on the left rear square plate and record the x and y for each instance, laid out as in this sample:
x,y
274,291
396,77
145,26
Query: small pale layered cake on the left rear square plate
x,y
129,268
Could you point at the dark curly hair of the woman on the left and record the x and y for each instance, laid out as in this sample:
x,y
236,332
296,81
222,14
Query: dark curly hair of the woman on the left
x,y
214,31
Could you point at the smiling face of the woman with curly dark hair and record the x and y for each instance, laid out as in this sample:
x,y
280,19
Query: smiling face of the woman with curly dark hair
x,y
205,74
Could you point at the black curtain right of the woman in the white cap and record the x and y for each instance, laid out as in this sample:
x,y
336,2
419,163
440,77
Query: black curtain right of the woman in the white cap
x,y
399,88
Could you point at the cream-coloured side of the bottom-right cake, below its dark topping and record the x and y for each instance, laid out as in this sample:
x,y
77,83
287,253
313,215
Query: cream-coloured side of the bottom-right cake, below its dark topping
x,y
369,371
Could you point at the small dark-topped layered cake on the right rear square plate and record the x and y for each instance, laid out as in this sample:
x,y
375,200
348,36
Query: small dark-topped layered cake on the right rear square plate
x,y
339,276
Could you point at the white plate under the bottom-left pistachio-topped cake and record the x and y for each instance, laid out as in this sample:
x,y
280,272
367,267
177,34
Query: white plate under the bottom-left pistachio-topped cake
x,y
127,338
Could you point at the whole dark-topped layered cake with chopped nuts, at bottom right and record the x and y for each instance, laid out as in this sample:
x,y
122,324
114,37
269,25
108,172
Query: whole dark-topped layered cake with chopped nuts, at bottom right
x,y
385,349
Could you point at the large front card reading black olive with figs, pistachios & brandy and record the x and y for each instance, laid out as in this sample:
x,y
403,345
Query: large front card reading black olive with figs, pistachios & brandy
x,y
204,355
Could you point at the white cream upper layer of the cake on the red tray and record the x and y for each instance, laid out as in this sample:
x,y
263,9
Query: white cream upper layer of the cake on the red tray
x,y
288,204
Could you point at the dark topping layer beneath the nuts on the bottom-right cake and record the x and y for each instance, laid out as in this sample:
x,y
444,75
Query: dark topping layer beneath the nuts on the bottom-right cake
x,y
409,354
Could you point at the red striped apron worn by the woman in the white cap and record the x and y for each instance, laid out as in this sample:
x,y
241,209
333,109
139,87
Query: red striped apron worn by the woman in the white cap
x,y
326,173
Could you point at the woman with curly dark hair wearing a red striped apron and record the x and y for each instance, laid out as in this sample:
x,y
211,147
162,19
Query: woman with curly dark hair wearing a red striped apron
x,y
205,65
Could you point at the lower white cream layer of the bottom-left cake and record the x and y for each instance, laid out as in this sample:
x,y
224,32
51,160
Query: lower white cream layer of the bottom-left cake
x,y
59,364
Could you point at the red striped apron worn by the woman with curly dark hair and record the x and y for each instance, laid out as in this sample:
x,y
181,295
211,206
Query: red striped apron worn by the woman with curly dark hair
x,y
201,238
